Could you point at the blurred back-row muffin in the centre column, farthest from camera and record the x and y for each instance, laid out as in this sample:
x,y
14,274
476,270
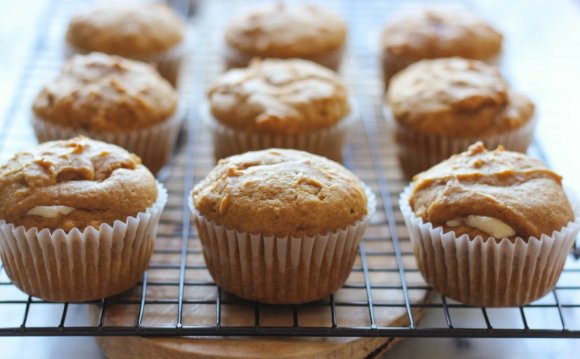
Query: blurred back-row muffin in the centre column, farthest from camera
x,y
286,31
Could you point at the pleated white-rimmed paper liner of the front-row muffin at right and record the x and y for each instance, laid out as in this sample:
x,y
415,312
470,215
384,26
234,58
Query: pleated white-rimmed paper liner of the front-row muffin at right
x,y
486,272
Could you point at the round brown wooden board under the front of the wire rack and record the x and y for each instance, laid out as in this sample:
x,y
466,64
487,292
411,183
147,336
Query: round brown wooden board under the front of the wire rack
x,y
250,347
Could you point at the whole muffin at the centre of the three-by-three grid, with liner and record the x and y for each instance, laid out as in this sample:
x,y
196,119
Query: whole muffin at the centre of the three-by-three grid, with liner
x,y
279,103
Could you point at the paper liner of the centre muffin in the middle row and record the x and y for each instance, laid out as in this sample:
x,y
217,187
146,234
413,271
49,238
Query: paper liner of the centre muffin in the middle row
x,y
328,142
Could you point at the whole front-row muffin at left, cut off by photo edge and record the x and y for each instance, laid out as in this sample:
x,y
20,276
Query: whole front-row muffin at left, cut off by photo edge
x,y
77,219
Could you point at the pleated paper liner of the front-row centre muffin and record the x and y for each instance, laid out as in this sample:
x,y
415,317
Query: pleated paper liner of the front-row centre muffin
x,y
280,270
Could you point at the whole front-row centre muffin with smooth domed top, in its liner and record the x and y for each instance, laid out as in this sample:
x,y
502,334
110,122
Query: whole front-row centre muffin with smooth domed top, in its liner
x,y
281,226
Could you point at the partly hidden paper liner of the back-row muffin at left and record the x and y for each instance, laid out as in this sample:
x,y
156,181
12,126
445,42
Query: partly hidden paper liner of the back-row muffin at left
x,y
167,63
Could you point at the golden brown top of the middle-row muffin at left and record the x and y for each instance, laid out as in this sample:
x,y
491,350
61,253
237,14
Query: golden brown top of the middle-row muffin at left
x,y
106,93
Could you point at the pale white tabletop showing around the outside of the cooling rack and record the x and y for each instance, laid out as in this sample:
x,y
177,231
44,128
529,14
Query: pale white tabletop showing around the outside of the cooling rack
x,y
542,58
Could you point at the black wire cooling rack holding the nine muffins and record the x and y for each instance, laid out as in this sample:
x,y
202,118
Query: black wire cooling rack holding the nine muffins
x,y
385,282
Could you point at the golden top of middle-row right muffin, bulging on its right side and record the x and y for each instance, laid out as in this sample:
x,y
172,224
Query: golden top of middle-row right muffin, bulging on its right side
x,y
456,97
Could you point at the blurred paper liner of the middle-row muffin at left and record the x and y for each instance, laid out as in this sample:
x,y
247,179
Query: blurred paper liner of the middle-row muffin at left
x,y
154,144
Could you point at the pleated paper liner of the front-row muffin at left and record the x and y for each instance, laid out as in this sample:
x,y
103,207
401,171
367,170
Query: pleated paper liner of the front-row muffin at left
x,y
81,265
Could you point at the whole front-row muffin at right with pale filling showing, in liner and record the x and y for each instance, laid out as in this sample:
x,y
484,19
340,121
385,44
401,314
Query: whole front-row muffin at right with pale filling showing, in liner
x,y
490,228
